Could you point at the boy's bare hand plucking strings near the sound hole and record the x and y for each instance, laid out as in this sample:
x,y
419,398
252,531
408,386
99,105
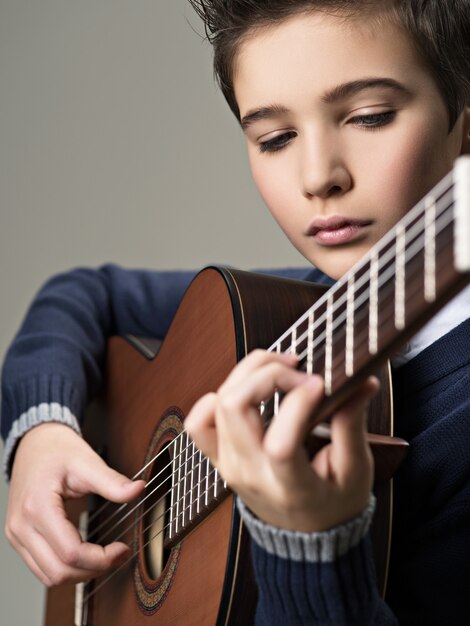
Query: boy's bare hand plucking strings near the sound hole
x,y
53,463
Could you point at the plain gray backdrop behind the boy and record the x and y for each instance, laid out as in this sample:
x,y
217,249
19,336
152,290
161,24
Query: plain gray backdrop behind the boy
x,y
115,145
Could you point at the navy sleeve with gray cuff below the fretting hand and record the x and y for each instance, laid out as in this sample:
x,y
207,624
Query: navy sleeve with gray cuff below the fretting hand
x,y
320,579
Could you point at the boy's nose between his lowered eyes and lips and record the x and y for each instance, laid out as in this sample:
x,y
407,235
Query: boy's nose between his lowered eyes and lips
x,y
324,172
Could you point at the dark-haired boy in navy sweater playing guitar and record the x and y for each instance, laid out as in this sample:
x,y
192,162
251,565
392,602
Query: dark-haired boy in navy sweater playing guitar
x,y
351,111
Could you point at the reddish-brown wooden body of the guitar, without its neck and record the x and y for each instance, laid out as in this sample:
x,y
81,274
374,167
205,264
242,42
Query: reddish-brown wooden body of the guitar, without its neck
x,y
206,577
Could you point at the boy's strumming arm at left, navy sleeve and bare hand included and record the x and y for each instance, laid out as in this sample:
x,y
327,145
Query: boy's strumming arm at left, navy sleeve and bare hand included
x,y
52,369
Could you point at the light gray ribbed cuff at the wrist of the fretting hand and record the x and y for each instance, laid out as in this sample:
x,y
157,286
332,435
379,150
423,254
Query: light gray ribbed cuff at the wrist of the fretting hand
x,y
318,547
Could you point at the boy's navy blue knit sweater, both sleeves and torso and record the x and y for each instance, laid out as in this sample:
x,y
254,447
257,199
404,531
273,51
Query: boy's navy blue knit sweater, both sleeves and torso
x,y
56,361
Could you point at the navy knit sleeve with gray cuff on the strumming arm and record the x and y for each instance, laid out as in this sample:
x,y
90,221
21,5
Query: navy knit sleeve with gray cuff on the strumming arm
x,y
55,364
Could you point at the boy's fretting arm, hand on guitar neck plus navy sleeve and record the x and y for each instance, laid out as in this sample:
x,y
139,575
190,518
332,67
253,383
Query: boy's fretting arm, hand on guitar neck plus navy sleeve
x,y
309,519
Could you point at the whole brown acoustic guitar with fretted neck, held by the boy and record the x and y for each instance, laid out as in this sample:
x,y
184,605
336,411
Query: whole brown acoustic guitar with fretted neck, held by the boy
x,y
190,563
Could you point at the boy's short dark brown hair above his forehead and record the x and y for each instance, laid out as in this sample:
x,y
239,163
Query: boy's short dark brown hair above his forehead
x,y
440,29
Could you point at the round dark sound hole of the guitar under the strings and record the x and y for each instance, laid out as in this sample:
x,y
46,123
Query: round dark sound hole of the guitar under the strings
x,y
156,516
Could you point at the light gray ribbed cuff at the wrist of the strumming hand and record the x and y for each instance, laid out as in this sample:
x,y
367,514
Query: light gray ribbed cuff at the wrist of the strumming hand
x,y
34,416
